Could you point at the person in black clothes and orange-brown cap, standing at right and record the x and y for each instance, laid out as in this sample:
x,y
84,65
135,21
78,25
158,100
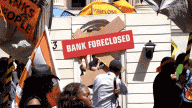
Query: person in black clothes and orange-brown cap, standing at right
x,y
166,91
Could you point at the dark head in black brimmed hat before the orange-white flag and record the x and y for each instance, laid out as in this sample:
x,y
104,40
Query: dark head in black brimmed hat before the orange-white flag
x,y
40,83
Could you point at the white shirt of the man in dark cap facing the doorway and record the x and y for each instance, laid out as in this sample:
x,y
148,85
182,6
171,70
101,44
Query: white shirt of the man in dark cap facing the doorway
x,y
103,90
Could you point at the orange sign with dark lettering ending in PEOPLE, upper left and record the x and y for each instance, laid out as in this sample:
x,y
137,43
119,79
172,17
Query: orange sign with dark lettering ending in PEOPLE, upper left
x,y
21,13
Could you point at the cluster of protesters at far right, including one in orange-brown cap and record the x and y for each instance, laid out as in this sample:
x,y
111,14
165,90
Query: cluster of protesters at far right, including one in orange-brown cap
x,y
172,86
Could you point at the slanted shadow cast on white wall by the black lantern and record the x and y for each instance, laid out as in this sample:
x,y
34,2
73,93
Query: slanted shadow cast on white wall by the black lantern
x,y
142,67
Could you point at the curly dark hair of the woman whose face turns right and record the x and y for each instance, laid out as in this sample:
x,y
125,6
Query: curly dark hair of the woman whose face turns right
x,y
66,99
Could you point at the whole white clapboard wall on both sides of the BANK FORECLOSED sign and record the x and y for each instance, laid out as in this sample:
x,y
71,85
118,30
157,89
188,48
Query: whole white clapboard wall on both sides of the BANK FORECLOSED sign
x,y
140,72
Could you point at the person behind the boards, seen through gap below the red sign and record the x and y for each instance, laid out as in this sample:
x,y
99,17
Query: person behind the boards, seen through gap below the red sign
x,y
96,64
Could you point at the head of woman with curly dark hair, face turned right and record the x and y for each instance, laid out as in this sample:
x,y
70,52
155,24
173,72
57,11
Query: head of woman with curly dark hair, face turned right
x,y
72,92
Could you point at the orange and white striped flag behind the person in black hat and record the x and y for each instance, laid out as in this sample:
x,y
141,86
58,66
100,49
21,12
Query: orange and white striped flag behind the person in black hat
x,y
41,55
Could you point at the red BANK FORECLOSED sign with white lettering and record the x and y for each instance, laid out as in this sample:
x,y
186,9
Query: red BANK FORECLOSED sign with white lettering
x,y
97,44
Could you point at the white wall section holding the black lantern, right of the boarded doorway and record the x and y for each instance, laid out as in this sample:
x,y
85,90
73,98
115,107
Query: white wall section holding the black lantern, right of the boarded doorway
x,y
140,70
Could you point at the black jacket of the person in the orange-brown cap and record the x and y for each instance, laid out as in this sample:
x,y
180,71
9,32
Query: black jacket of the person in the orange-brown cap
x,y
165,91
